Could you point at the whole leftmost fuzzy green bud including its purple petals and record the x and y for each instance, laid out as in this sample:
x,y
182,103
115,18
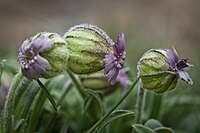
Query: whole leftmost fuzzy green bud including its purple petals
x,y
44,55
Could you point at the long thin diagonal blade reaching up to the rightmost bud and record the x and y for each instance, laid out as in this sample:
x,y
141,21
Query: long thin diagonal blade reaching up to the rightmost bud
x,y
114,107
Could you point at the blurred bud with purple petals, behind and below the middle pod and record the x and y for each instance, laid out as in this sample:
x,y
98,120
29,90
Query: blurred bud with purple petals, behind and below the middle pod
x,y
98,82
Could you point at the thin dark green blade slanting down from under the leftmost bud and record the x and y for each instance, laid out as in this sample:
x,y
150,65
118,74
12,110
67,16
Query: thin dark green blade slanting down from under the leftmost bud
x,y
46,92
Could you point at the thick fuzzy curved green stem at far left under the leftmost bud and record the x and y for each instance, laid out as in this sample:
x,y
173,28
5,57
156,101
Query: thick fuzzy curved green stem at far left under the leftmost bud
x,y
9,102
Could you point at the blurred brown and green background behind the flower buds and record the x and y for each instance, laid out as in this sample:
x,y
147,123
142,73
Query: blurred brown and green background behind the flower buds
x,y
147,24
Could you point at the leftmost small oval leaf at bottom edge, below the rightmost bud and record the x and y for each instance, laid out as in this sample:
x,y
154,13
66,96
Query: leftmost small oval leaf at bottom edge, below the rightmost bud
x,y
142,129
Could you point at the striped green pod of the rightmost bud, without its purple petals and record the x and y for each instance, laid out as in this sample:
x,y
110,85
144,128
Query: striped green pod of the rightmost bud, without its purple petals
x,y
154,71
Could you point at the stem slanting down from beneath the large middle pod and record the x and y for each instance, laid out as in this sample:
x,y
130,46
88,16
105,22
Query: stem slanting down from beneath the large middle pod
x,y
77,83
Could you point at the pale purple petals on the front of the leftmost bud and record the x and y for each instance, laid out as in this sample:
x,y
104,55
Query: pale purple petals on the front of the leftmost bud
x,y
32,63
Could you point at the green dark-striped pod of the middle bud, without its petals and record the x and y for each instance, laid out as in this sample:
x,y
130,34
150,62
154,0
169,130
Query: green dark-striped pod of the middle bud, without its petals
x,y
88,46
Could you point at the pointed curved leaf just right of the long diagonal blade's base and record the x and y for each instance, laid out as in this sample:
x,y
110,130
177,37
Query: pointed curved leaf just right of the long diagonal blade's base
x,y
115,115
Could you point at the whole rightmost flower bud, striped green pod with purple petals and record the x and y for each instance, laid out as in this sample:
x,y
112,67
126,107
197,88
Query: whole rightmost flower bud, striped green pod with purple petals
x,y
160,70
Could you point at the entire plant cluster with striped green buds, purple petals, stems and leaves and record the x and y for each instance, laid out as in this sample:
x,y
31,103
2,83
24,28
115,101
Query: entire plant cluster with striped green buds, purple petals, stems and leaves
x,y
95,66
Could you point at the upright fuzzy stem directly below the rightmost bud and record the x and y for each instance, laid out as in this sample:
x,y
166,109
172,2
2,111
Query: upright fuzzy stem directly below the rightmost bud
x,y
139,104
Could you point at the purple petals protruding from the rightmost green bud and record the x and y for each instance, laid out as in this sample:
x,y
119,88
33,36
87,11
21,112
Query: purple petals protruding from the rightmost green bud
x,y
179,66
